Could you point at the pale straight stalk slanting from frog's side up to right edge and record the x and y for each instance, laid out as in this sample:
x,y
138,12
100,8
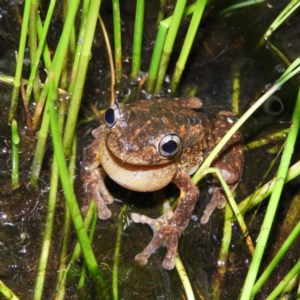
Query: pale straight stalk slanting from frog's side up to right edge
x,y
291,71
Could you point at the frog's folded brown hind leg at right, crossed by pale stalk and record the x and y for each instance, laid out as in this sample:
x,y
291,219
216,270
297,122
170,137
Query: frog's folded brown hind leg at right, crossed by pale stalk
x,y
229,162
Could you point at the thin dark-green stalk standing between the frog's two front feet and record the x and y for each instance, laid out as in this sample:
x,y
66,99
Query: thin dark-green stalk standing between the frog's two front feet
x,y
117,253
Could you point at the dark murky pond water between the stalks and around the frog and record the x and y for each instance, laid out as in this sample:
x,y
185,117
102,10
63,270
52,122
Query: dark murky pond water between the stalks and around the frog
x,y
225,44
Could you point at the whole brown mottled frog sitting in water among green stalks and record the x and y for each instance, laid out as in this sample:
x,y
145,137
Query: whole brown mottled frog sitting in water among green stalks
x,y
144,146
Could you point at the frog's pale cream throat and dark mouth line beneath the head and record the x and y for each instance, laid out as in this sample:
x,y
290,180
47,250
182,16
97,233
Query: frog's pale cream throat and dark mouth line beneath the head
x,y
140,178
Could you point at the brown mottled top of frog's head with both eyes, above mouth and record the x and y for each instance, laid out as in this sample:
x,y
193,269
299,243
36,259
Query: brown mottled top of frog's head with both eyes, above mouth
x,y
142,134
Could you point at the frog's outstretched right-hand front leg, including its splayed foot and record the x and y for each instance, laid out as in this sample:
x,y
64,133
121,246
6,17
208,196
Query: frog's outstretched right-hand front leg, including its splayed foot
x,y
171,226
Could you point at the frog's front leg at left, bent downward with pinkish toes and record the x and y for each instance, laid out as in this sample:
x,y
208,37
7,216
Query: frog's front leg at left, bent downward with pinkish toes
x,y
92,176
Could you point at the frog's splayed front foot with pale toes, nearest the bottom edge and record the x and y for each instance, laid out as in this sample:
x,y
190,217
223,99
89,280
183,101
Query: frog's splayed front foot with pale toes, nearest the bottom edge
x,y
165,234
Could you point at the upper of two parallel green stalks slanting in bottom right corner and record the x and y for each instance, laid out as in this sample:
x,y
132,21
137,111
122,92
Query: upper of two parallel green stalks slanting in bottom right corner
x,y
279,255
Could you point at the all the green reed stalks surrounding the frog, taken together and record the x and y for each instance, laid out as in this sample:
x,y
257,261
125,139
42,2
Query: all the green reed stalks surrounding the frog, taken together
x,y
49,99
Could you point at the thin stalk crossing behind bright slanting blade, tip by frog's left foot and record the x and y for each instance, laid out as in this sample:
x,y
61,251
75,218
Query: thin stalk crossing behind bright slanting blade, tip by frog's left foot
x,y
76,252
